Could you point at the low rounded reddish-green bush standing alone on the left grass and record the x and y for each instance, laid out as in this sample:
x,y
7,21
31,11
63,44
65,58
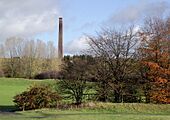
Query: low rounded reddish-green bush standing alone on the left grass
x,y
37,97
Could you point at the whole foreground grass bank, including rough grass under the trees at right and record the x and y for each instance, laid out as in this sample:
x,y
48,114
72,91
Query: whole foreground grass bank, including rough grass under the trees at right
x,y
103,111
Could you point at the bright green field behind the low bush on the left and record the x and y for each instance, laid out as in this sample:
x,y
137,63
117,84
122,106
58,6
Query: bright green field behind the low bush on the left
x,y
9,87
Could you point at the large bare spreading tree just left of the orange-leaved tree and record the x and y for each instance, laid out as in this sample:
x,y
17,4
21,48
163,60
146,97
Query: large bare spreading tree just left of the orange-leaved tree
x,y
116,50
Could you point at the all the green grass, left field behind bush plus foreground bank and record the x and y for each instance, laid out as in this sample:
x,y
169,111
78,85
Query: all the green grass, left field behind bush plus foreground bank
x,y
97,111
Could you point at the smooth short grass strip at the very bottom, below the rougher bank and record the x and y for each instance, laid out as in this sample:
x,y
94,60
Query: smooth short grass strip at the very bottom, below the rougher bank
x,y
83,114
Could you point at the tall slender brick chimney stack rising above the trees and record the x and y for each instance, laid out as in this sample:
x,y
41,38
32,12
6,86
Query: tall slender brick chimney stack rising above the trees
x,y
60,38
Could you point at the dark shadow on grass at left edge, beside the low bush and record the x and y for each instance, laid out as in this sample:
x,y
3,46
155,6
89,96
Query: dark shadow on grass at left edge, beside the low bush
x,y
8,108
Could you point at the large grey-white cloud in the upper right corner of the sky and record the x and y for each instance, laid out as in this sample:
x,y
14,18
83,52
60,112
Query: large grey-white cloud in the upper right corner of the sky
x,y
139,11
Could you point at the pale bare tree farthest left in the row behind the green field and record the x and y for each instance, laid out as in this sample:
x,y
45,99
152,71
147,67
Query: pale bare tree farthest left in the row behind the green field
x,y
12,62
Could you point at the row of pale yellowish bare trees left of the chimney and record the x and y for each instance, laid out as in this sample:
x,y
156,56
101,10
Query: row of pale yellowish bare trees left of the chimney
x,y
27,58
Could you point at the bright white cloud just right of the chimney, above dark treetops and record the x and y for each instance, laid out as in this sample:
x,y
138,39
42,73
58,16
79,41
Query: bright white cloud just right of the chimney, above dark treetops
x,y
77,46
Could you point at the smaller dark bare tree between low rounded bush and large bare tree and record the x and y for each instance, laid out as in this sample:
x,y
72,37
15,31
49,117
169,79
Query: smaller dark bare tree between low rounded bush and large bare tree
x,y
74,77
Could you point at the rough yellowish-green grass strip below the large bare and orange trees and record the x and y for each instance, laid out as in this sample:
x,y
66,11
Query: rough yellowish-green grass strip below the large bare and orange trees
x,y
135,108
